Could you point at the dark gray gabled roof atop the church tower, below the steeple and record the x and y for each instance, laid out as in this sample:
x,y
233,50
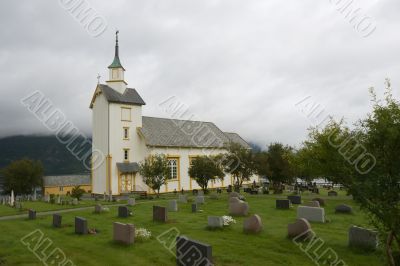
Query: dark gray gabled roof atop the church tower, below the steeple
x,y
130,96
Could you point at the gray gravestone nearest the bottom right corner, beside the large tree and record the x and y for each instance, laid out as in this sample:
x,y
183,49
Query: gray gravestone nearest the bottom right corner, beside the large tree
x,y
363,238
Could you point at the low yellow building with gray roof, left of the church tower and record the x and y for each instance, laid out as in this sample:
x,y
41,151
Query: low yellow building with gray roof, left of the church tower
x,y
63,184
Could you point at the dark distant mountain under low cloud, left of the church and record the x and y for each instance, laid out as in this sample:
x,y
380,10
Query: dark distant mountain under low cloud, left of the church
x,y
56,158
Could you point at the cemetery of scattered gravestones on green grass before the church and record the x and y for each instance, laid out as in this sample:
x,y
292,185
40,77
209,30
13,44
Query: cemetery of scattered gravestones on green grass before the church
x,y
226,230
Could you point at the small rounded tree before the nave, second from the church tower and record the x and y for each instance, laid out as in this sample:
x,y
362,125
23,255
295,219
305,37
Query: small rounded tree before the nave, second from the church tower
x,y
204,169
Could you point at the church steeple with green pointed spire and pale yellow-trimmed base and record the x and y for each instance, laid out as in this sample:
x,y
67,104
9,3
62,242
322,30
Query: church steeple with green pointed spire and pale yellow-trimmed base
x,y
116,71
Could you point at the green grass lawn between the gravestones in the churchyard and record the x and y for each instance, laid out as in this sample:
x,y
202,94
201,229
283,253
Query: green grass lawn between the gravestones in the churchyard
x,y
230,245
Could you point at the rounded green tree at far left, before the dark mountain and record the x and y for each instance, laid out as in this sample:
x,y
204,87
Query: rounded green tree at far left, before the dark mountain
x,y
22,176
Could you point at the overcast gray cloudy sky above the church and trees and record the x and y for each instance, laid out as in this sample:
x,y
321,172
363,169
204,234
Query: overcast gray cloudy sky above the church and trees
x,y
253,67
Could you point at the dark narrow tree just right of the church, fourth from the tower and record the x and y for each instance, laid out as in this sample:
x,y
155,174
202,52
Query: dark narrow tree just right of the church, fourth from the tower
x,y
279,159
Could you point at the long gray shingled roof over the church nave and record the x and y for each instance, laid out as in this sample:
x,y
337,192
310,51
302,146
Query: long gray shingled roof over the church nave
x,y
185,133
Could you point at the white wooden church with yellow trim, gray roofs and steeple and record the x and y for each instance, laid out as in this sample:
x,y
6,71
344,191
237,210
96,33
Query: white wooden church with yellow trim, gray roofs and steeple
x,y
125,137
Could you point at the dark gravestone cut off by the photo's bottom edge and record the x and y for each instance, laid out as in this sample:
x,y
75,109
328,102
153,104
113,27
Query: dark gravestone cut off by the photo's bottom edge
x,y
190,252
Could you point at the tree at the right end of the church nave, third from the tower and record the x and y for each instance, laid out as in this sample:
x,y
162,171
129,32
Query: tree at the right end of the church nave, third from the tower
x,y
239,162
